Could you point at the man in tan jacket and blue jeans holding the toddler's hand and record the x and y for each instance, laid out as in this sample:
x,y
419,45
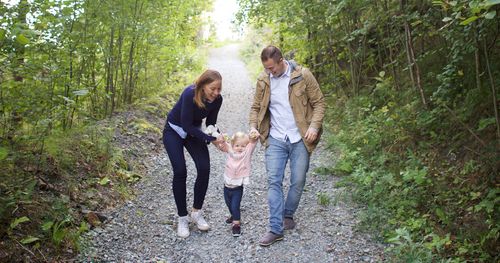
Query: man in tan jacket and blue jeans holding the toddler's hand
x,y
287,111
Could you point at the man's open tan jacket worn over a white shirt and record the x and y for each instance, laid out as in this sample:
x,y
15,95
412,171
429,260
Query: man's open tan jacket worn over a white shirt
x,y
306,99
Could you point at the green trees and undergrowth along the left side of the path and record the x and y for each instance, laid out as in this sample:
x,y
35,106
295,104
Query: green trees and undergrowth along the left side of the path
x,y
65,68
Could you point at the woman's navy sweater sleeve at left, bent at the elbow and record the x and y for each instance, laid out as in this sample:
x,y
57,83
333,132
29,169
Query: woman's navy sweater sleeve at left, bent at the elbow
x,y
187,119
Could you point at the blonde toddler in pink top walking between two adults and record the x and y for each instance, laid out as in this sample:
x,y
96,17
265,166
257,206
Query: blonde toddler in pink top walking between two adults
x,y
237,173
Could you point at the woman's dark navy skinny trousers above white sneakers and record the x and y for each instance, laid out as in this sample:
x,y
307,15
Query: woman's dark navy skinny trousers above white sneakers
x,y
198,150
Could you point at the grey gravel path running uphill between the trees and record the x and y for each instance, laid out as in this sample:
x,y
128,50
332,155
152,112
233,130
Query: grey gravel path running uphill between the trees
x,y
144,229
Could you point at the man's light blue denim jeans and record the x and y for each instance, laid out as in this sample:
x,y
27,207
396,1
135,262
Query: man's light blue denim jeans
x,y
277,155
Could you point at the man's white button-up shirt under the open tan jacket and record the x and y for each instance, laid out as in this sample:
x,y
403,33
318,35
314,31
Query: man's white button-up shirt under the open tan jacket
x,y
283,125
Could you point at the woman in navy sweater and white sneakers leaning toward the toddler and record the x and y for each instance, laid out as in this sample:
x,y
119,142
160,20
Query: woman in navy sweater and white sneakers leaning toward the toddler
x,y
183,130
